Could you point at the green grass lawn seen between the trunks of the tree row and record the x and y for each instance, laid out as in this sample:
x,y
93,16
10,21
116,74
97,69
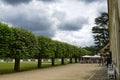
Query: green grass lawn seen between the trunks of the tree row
x,y
8,67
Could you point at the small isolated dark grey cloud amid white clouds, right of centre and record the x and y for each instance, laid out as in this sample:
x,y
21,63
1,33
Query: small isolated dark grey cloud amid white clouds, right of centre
x,y
73,25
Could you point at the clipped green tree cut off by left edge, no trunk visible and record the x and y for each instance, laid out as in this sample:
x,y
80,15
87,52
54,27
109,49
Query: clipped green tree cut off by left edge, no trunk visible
x,y
5,38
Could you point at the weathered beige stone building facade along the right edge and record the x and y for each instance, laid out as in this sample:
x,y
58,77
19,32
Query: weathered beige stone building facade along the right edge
x,y
114,32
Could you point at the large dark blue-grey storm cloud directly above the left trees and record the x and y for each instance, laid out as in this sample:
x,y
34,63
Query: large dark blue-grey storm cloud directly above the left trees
x,y
40,25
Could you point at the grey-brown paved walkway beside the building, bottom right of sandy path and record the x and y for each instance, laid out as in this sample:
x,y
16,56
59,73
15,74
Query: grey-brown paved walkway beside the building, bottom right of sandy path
x,y
100,74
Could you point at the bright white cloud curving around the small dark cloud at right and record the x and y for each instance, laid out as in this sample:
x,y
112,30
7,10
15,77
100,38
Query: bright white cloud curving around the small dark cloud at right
x,y
84,36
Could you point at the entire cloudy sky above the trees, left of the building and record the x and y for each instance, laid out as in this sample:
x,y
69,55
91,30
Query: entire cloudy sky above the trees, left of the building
x,y
64,20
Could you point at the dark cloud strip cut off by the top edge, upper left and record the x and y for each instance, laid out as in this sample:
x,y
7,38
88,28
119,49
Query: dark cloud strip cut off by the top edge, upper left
x,y
16,2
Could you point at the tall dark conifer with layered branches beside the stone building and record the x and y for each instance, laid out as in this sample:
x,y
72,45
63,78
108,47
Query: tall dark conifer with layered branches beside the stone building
x,y
100,31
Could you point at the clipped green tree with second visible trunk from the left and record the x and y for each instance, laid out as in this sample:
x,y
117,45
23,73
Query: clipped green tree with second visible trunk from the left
x,y
44,44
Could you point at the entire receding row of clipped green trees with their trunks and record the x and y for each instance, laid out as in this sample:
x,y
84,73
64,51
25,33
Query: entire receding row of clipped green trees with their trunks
x,y
17,43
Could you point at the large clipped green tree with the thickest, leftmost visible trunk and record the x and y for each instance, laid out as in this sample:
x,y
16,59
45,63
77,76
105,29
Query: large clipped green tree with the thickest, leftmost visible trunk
x,y
23,45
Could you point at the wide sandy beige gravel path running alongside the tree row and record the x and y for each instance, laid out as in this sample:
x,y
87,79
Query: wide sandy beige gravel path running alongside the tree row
x,y
67,72
